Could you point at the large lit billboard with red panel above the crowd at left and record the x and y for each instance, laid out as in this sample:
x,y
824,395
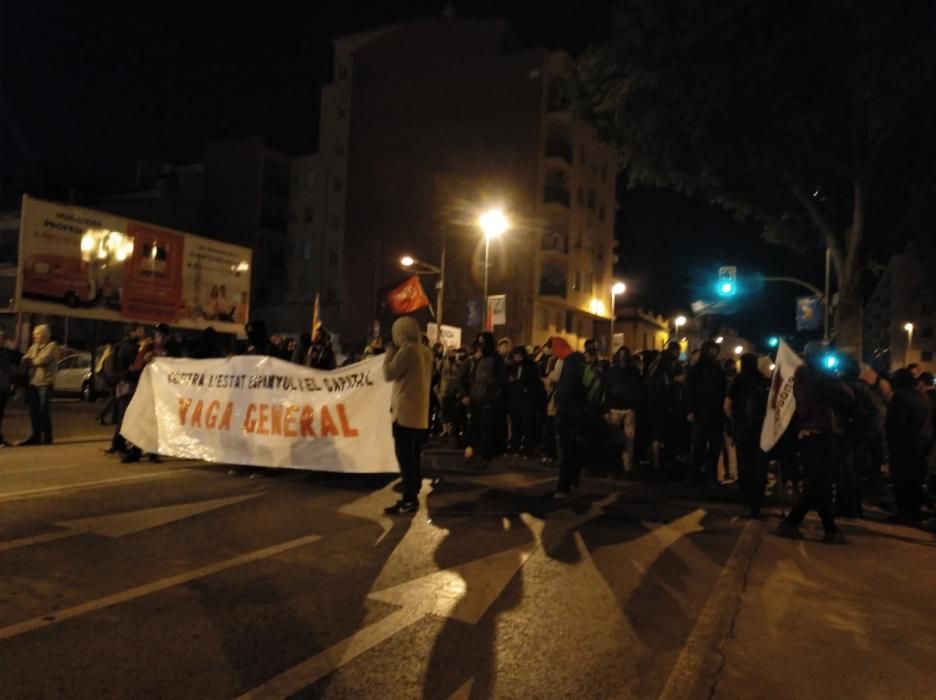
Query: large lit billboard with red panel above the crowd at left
x,y
89,264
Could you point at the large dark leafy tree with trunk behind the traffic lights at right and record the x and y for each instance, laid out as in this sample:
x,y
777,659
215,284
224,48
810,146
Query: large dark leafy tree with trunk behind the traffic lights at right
x,y
814,118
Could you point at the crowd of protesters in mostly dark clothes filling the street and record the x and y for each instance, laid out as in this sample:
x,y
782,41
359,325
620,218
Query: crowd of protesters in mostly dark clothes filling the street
x,y
667,414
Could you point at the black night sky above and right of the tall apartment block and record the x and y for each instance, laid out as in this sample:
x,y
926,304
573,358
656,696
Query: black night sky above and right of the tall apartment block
x,y
90,87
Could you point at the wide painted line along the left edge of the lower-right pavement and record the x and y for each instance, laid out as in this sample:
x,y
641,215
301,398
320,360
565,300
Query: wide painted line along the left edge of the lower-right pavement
x,y
684,680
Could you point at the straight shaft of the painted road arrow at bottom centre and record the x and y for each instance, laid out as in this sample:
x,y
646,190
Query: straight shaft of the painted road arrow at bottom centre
x,y
308,672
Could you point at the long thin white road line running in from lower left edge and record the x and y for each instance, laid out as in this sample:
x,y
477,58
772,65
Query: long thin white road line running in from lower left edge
x,y
154,587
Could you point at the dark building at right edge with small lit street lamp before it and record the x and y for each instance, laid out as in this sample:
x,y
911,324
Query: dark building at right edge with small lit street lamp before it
x,y
905,294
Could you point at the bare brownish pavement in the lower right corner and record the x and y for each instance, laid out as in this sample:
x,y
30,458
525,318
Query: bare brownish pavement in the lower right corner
x,y
820,621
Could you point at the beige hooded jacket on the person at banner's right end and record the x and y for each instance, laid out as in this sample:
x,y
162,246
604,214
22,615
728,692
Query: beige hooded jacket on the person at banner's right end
x,y
409,367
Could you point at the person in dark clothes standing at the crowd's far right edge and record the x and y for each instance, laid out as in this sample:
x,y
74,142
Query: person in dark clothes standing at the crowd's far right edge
x,y
909,430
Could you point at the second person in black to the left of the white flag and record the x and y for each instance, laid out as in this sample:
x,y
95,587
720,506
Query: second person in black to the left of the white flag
x,y
706,389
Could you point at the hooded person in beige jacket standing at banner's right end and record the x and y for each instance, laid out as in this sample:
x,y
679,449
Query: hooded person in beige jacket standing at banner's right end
x,y
408,364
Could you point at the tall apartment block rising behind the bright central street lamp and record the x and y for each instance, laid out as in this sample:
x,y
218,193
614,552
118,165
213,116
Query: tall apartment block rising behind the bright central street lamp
x,y
428,123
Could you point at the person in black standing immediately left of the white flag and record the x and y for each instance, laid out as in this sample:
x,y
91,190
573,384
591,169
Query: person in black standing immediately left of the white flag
x,y
746,406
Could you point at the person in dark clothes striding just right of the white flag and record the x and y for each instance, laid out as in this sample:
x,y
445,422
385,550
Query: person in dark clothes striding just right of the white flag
x,y
821,398
